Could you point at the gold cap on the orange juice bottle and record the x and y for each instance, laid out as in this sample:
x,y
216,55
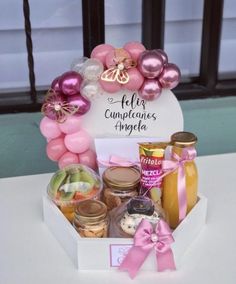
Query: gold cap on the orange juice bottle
x,y
183,139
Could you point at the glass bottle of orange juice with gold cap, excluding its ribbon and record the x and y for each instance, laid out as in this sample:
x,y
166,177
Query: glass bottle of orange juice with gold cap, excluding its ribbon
x,y
180,141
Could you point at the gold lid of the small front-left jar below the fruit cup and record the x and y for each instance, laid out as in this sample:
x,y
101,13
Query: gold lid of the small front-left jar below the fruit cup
x,y
90,211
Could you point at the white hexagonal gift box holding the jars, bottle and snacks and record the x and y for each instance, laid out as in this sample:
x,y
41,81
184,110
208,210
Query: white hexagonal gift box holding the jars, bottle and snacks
x,y
107,253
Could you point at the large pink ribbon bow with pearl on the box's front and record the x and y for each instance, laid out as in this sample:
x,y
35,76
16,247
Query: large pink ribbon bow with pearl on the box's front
x,y
145,240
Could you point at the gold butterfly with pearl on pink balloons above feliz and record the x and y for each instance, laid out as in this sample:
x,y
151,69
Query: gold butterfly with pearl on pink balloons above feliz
x,y
118,72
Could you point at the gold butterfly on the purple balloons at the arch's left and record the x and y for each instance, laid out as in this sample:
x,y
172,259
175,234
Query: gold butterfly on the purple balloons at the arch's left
x,y
56,108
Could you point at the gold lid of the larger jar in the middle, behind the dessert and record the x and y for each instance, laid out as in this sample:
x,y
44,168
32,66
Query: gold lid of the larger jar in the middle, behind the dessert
x,y
121,177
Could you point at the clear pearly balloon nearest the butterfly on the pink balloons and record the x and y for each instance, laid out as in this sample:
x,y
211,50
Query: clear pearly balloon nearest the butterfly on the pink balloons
x,y
92,69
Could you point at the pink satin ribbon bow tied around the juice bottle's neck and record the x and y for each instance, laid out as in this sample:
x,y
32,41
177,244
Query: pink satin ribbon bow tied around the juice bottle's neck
x,y
168,166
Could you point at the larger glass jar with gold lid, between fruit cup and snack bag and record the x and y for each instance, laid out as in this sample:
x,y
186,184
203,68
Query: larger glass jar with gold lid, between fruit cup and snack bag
x,y
120,184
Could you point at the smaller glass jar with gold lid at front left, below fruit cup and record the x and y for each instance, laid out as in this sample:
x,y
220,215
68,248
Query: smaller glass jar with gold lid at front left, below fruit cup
x,y
91,220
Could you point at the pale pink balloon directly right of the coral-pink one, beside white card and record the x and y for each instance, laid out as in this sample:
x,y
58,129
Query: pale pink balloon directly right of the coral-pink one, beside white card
x,y
78,142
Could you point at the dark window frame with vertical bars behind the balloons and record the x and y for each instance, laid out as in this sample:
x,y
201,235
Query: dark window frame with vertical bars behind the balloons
x,y
206,84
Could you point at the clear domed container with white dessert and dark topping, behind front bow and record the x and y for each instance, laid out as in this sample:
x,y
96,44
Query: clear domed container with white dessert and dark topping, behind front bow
x,y
126,218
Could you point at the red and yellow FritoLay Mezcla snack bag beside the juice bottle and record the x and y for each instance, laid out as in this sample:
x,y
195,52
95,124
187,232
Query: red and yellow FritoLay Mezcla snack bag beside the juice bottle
x,y
151,157
